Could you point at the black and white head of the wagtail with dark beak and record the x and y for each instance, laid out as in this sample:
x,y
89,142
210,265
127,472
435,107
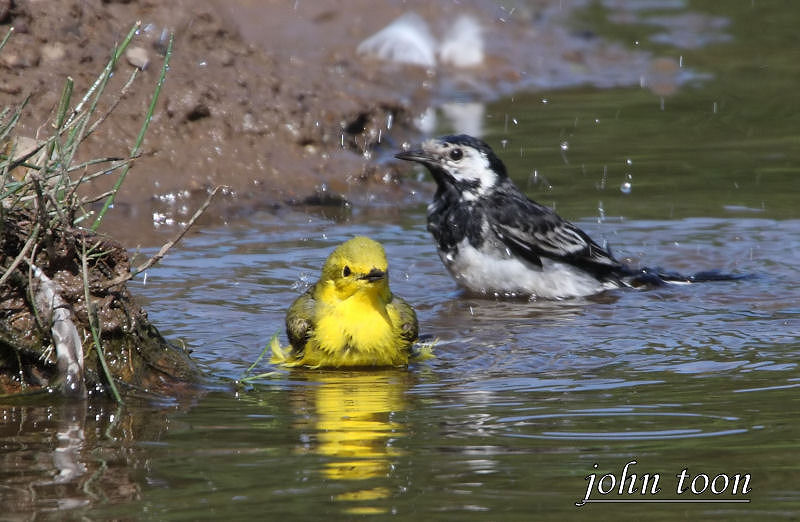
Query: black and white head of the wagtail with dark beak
x,y
460,162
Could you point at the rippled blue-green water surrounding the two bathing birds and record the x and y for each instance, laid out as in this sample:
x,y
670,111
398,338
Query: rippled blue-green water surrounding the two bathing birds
x,y
522,399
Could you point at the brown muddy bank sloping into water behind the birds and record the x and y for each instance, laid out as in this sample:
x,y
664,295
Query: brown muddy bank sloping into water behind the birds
x,y
271,99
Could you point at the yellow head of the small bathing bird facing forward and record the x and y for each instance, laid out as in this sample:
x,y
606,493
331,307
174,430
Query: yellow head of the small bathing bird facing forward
x,y
357,265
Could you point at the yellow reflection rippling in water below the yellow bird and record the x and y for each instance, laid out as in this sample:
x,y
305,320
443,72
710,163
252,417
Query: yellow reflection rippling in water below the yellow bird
x,y
353,423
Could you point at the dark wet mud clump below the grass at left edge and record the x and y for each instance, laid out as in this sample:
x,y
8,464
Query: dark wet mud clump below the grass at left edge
x,y
45,300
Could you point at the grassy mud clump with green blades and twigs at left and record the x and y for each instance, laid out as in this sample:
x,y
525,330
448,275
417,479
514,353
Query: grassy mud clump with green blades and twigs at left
x,y
67,320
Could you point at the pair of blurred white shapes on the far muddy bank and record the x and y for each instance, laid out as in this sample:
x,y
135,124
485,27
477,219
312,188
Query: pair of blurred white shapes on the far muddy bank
x,y
408,39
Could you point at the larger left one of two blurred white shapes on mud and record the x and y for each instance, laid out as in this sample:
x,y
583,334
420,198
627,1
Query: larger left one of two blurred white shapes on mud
x,y
406,40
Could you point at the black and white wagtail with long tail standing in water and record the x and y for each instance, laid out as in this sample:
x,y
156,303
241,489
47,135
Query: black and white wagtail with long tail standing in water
x,y
496,241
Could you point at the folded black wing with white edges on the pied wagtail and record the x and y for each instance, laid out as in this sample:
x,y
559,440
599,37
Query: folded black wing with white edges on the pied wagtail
x,y
531,231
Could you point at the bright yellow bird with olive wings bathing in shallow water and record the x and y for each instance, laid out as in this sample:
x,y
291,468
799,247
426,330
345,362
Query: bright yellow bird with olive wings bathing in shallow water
x,y
350,317
